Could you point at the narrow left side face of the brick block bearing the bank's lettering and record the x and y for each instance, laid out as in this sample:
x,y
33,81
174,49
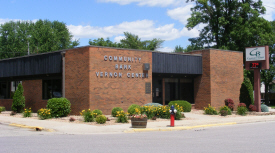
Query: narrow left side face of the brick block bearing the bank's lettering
x,y
77,78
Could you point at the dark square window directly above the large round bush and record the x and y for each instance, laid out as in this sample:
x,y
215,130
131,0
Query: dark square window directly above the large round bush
x,y
52,88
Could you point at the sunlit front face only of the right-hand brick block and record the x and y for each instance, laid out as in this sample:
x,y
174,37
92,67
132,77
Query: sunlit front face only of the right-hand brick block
x,y
226,76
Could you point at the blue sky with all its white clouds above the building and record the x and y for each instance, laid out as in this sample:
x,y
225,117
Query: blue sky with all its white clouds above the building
x,y
92,19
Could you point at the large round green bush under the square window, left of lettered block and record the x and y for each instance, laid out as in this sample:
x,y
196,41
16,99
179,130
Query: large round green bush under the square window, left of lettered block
x,y
60,107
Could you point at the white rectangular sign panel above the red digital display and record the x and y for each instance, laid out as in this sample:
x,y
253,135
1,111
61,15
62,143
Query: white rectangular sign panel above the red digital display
x,y
255,54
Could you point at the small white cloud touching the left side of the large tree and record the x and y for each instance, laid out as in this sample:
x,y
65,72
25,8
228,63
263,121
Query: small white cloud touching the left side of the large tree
x,y
181,13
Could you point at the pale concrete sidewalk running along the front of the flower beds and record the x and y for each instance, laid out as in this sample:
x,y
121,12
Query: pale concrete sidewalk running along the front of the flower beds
x,y
192,120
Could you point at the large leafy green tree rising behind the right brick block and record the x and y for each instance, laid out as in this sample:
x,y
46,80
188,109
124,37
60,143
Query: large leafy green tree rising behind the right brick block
x,y
232,24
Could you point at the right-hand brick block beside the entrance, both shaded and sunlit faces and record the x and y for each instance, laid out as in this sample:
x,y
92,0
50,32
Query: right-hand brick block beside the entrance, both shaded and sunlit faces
x,y
222,77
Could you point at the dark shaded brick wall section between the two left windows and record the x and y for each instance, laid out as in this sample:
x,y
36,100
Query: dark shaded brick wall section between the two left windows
x,y
33,94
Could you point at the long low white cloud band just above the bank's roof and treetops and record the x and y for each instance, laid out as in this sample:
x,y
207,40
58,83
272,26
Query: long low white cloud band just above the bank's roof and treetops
x,y
145,29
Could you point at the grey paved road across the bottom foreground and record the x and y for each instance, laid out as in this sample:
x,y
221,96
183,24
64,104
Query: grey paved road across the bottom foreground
x,y
253,137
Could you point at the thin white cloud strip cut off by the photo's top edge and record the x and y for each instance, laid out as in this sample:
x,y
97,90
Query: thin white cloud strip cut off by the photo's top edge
x,y
161,3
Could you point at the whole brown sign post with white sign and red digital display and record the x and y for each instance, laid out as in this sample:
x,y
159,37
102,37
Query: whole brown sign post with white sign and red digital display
x,y
257,58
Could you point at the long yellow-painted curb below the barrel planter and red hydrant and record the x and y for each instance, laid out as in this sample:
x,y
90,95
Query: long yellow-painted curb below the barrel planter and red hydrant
x,y
178,128
